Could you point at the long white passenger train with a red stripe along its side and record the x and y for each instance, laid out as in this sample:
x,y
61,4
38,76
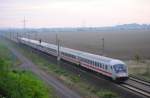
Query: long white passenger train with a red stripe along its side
x,y
113,68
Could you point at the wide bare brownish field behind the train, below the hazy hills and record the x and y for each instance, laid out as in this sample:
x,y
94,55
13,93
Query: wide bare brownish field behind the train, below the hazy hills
x,y
122,44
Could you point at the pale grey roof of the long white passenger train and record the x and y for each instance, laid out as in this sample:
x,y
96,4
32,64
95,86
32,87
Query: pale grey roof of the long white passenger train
x,y
79,53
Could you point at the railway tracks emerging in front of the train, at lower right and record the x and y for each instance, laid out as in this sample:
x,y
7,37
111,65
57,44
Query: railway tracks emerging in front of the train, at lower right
x,y
137,85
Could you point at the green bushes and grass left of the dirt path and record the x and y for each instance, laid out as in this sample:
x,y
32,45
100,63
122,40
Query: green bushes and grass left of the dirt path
x,y
16,83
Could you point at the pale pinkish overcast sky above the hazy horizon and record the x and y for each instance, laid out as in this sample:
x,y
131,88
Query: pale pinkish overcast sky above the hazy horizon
x,y
73,13
